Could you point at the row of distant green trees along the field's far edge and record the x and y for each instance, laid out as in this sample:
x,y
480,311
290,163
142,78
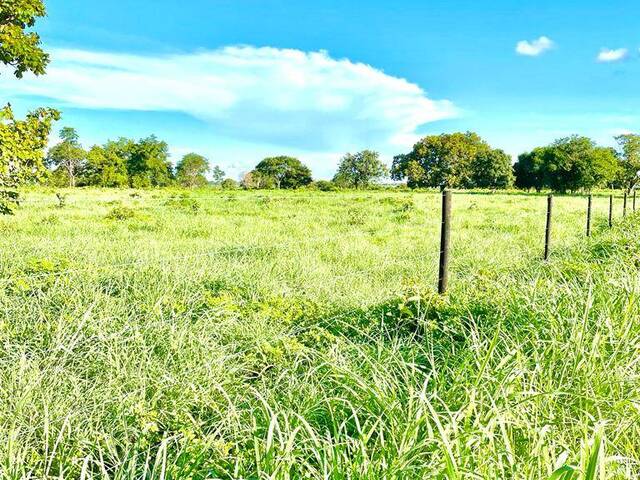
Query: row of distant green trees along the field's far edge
x,y
455,160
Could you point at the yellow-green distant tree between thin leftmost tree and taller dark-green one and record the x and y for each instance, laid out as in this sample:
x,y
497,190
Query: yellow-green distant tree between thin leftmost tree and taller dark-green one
x,y
106,167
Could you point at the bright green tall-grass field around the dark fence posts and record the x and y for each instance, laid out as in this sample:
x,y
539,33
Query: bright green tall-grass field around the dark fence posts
x,y
241,335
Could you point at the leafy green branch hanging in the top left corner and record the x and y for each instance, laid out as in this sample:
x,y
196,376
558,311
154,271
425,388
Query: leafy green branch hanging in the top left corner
x,y
18,48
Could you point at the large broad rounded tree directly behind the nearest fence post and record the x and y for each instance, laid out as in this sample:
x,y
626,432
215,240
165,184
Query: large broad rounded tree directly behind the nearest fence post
x,y
444,161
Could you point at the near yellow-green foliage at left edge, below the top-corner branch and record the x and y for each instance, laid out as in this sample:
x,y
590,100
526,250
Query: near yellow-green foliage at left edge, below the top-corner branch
x,y
22,147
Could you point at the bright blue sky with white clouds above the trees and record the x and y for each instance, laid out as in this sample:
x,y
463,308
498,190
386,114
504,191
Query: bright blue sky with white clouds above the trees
x,y
238,80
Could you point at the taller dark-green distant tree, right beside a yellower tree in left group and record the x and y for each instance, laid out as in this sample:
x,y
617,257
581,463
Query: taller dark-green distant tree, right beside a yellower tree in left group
x,y
149,165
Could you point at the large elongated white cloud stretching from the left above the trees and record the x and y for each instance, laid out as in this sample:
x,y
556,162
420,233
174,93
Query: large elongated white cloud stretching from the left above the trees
x,y
283,97
